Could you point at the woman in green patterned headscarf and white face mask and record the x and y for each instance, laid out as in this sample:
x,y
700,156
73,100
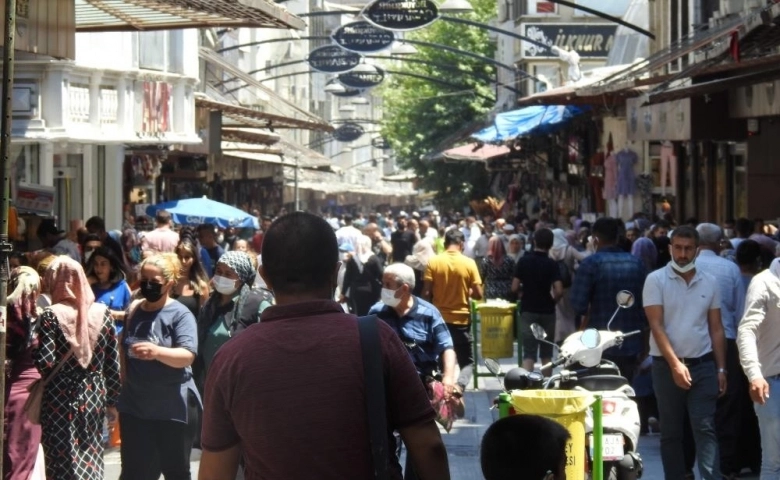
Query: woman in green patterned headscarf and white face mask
x,y
233,306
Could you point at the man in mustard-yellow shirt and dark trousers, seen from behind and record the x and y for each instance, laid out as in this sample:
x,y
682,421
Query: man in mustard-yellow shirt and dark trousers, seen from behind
x,y
451,281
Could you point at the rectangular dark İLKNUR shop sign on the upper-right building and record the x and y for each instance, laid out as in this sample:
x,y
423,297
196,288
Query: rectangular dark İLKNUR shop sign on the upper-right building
x,y
589,40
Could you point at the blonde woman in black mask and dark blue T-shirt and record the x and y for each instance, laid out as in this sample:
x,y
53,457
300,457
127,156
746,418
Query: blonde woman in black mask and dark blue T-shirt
x,y
159,404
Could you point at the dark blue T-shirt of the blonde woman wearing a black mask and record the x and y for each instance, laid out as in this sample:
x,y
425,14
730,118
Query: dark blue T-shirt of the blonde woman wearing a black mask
x,y
152,390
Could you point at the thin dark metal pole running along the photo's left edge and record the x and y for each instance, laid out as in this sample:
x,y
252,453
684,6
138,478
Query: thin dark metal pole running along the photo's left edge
x,y
5,157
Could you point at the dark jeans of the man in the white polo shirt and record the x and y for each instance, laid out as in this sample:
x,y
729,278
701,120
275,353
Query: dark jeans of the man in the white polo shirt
x,y
700,401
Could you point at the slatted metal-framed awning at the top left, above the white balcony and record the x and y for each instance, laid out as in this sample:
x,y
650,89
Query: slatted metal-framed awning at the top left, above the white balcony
x,y
142,15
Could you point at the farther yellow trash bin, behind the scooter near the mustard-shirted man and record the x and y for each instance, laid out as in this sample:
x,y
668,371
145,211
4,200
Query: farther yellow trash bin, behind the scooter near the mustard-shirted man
x,y
496,319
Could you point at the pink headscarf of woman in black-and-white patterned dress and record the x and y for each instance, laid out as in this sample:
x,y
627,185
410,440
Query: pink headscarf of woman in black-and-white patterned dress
x,y
73,303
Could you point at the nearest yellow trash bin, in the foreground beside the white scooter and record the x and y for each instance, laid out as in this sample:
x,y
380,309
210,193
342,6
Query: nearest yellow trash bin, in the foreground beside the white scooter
x,y
567,408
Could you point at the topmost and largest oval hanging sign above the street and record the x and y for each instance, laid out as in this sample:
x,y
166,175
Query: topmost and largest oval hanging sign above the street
x,y
401,15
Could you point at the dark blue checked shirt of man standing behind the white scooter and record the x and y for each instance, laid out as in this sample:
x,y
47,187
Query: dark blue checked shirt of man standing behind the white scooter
x,y
596,284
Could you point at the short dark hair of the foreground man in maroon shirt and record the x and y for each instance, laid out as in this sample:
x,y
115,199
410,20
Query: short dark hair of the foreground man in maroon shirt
x,y
300,253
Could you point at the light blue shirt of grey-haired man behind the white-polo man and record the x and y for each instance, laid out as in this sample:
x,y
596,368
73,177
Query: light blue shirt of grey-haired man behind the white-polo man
x,y
732,296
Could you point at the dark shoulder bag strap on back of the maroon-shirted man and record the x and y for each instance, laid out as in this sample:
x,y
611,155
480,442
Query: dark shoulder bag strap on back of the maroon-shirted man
x,y
376,411
